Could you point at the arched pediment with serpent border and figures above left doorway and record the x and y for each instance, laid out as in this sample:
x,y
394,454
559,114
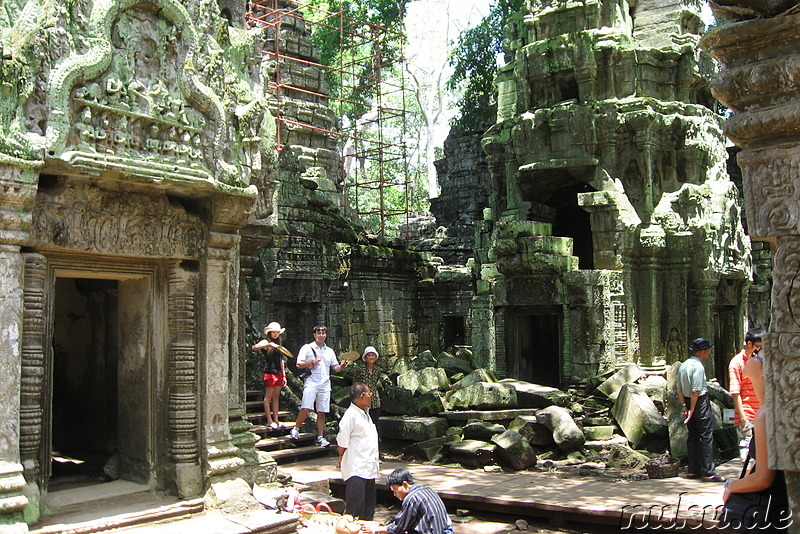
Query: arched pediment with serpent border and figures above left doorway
x,y
131,97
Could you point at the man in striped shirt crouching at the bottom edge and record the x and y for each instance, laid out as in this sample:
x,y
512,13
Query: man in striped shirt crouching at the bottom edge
x,y
423,512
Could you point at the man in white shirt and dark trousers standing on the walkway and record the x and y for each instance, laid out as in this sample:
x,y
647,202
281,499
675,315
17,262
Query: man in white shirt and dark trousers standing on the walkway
x,y
357,445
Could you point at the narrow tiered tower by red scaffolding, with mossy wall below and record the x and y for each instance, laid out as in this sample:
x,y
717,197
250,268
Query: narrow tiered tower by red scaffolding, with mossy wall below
x,y
319,264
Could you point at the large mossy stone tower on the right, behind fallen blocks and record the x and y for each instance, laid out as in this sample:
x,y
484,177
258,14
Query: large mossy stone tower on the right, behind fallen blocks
x,y
613,233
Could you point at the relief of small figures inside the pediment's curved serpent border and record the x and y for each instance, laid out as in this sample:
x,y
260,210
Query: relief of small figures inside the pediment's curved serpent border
x,y
135,110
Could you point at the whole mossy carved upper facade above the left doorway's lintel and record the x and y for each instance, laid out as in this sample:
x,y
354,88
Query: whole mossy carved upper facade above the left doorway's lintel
x,y
131,90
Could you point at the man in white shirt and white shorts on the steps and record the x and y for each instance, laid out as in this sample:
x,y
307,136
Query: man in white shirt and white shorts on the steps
x,y
319,359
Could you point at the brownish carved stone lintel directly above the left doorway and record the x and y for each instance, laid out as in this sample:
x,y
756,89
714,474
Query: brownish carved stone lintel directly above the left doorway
x,y
80,218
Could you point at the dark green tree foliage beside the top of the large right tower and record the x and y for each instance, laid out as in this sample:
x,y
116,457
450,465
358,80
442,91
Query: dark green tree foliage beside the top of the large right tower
x,y
474,61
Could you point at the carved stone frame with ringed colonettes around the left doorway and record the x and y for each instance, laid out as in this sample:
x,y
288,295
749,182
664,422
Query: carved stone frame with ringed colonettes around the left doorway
x,y
41,272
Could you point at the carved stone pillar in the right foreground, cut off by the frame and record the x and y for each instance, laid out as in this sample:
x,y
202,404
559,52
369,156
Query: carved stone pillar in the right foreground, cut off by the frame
x,y
757,45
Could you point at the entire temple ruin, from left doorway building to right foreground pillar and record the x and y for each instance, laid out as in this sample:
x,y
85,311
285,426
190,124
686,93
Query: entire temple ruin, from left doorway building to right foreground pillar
x,y
151,227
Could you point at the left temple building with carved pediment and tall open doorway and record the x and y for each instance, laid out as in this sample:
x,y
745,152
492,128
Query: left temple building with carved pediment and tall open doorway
x,y
131,142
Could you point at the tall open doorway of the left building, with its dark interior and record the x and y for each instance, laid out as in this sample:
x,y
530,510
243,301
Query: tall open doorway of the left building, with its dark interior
x,y
101,387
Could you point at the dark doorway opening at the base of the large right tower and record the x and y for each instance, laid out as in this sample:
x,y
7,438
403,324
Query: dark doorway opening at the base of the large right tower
x,y
534,348
